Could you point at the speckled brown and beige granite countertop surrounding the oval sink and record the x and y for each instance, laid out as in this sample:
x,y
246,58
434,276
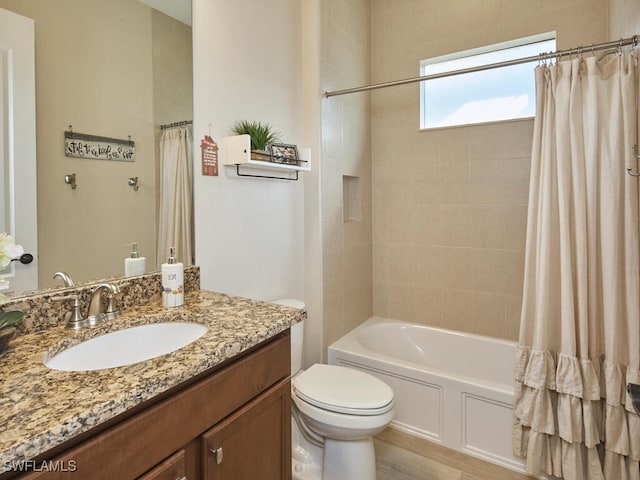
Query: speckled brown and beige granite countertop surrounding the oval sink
x,y
42,408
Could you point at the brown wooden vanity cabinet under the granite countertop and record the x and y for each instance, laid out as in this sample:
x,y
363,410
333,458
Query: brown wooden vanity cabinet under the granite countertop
x,y
241,408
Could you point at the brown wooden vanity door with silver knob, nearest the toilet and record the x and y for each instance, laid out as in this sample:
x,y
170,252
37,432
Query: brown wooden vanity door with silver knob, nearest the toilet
x,y
254,442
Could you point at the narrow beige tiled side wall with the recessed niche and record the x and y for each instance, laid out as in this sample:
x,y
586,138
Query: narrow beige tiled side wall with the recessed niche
x,y
346,150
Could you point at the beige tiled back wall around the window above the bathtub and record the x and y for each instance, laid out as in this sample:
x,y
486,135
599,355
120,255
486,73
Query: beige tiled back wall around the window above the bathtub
x,y
449,205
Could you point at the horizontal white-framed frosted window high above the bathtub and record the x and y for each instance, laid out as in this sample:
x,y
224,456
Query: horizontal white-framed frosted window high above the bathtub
x,y
491,95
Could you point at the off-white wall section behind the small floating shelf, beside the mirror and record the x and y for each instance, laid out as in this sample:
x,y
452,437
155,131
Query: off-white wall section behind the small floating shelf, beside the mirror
x,y
250,236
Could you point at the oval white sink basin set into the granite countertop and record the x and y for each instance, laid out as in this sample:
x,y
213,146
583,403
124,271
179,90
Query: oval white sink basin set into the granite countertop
x,y
127,346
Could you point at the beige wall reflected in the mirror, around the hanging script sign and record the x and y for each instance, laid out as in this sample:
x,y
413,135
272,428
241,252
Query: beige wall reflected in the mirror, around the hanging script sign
x,y
117,69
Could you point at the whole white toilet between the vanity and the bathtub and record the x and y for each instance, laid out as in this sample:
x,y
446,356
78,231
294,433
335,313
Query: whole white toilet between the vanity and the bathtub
x,y
335,413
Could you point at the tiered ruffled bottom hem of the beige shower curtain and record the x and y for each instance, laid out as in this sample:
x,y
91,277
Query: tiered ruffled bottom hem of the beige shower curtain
x,y
574,415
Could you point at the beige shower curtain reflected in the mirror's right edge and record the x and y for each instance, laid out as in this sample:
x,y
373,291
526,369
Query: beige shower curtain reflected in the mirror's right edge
x,y
175,225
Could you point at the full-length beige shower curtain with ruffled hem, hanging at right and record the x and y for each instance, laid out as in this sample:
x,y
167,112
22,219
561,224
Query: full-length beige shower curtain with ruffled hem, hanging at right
x,y
580,325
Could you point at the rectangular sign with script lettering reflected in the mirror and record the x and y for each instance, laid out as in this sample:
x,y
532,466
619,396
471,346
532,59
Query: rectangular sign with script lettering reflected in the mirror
x,y
81,145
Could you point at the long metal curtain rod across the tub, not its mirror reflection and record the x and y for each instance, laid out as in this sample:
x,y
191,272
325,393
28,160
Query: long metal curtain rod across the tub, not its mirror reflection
x,y
541,57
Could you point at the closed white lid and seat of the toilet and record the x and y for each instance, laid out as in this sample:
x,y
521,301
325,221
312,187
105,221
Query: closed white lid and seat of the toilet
x,y
343,390
